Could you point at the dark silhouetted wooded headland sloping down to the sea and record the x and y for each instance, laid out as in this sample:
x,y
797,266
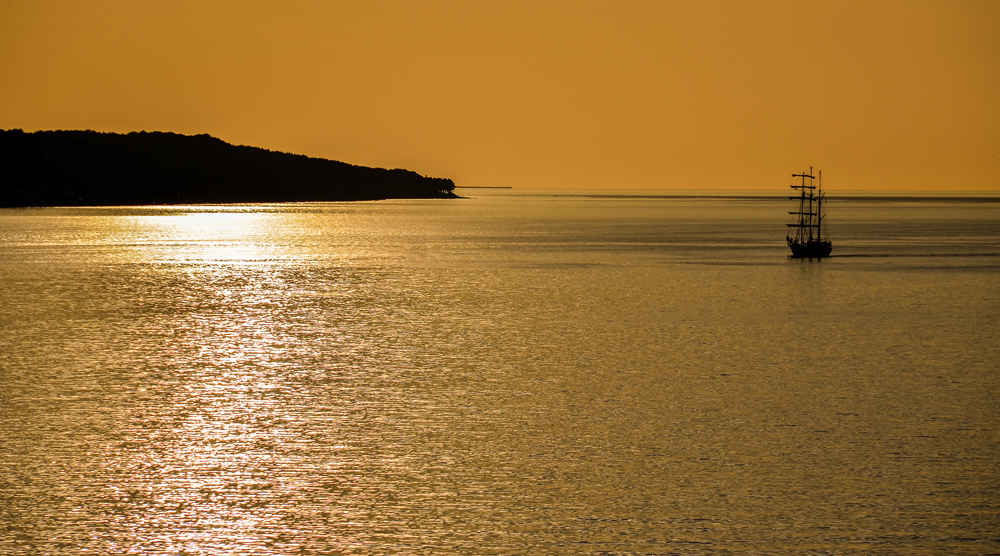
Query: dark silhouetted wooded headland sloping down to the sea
x,y
90,168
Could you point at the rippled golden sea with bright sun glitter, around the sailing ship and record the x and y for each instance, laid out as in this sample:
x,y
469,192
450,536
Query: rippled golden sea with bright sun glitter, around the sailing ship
x,y
513,372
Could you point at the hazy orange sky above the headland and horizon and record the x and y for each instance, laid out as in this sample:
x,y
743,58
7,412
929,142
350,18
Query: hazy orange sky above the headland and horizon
x,y
536,94
